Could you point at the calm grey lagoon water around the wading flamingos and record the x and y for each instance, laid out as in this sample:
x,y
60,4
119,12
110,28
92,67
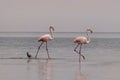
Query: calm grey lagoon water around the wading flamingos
x,y
102,57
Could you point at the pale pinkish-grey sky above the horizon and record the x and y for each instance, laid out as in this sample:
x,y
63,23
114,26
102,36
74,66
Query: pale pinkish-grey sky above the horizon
x,y
66,15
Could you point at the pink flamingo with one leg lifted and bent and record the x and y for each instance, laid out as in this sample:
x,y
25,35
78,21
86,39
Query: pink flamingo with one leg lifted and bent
x,y
82,40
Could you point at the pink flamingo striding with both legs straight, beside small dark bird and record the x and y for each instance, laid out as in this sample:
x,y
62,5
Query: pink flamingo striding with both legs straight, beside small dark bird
x,y
46,38
